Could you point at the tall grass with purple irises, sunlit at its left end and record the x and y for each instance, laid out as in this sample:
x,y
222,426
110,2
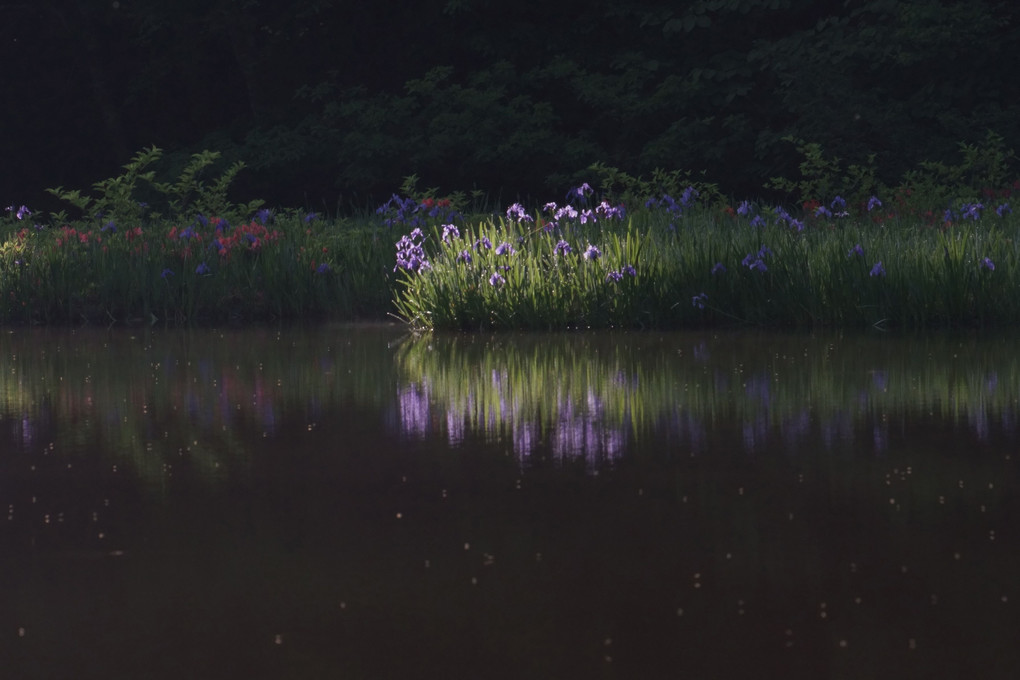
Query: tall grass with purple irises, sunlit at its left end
x,y
707,268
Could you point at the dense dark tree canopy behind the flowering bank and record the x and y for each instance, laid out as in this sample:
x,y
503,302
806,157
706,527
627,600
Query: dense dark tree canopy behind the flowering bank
x,y
336,101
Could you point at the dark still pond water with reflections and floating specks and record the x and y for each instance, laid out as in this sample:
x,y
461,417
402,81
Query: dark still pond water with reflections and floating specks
x,y
355,502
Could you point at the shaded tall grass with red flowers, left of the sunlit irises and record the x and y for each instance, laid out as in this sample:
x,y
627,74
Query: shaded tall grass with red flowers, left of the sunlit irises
x,y
208,271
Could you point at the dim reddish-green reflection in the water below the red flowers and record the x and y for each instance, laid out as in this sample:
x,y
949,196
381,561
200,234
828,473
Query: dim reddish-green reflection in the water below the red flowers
x,y
200,397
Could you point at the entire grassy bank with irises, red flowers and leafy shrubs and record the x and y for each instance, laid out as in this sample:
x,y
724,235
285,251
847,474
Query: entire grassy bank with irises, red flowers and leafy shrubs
x,y
656,255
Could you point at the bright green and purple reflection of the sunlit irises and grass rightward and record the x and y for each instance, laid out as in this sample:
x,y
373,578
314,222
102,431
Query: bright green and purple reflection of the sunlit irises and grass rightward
x,y
541,390
